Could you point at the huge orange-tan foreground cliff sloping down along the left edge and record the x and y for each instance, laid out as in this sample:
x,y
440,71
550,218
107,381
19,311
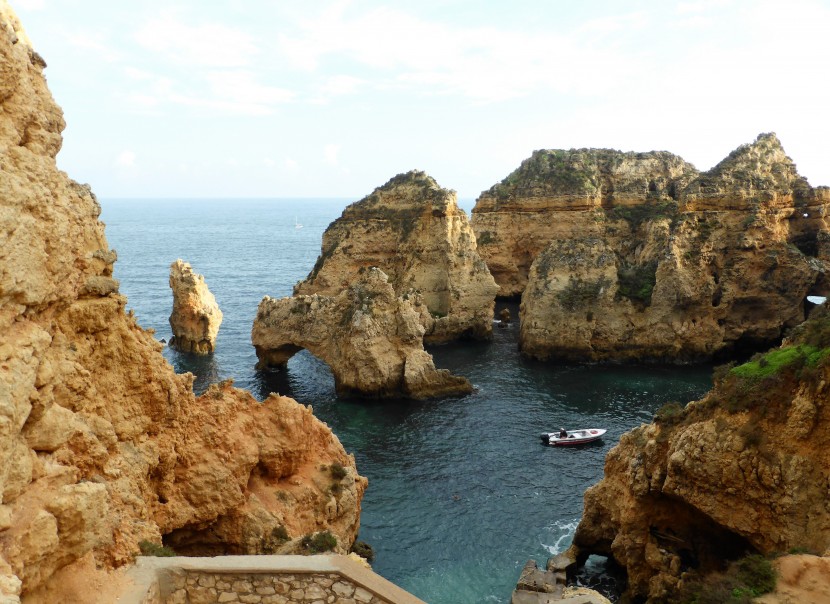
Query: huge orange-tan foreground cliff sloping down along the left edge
x,y
101,443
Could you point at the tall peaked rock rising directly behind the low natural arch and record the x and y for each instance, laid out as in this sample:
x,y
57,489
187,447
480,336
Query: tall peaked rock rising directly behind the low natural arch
x,y
413,230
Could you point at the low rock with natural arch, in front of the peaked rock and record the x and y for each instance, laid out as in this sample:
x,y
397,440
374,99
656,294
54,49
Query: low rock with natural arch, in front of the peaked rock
x,y
371,338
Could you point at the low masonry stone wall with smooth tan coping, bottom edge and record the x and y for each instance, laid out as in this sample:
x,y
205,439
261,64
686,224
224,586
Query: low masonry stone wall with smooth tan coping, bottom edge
x,y
326,579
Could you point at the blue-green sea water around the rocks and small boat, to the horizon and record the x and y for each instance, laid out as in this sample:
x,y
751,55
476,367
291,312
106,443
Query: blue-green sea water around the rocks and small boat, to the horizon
x,y
461,492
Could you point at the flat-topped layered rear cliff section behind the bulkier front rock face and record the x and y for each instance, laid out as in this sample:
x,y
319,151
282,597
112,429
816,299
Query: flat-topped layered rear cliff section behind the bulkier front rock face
x,y
557,195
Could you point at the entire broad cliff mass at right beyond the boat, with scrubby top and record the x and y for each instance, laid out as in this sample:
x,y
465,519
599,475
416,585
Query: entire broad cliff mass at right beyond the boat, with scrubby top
x,y
638,257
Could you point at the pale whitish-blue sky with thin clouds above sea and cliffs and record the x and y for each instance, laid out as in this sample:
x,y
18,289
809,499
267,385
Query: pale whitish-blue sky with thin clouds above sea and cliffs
x,y
332,98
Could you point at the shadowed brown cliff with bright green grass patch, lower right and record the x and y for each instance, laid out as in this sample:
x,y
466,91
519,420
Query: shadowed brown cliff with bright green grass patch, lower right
x,y
744,470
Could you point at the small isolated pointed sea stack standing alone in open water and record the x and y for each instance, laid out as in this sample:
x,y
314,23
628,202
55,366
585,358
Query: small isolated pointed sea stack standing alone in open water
x,y
196,317
